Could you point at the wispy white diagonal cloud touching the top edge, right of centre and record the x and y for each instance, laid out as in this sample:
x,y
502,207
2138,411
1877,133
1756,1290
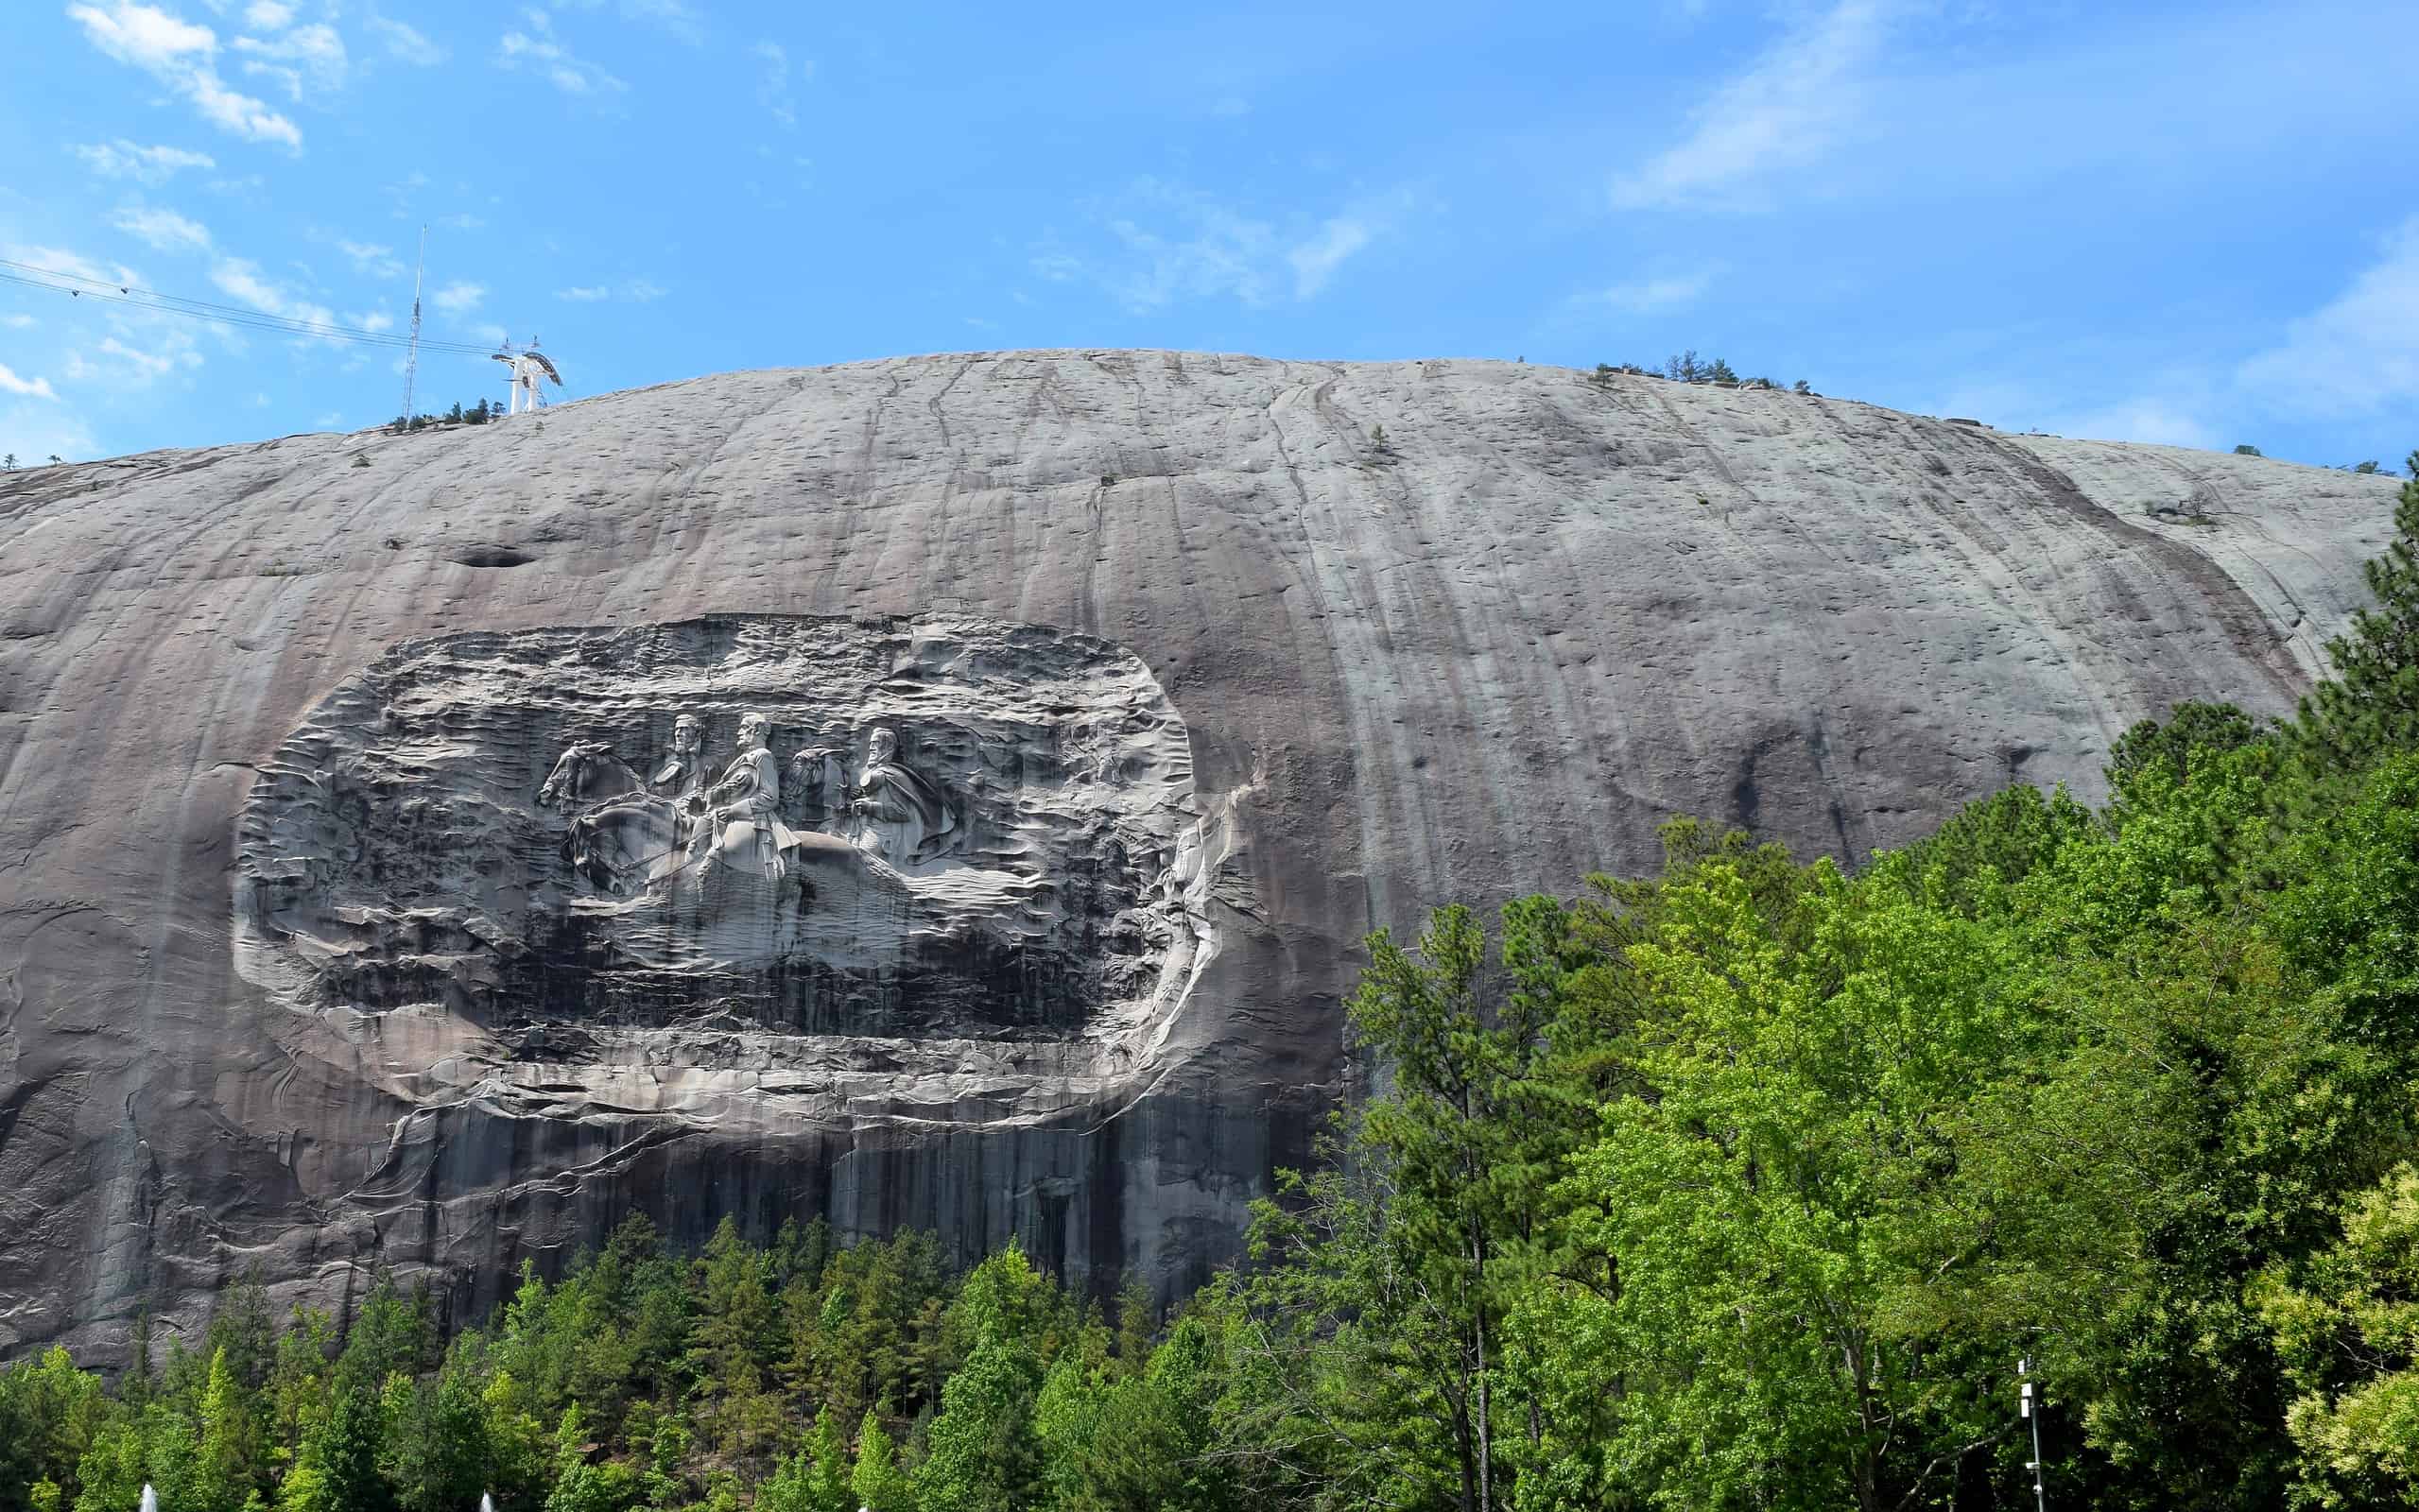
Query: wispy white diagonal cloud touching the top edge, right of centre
x,y
1786,112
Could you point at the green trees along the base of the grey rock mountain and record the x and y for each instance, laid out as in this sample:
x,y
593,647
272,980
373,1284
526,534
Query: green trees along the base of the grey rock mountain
x,y
1740,1187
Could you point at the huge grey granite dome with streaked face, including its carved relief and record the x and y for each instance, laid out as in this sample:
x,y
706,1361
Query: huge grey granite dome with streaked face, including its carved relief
x,y
1056,729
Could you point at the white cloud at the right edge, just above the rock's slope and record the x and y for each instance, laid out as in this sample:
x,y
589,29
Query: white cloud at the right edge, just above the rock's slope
x,y
2357,354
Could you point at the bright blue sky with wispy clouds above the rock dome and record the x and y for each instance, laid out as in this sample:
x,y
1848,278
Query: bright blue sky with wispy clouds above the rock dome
x,y
2188,224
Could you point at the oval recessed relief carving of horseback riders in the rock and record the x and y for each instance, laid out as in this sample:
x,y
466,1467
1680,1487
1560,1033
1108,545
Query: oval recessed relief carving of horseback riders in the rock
x,y
630,846
